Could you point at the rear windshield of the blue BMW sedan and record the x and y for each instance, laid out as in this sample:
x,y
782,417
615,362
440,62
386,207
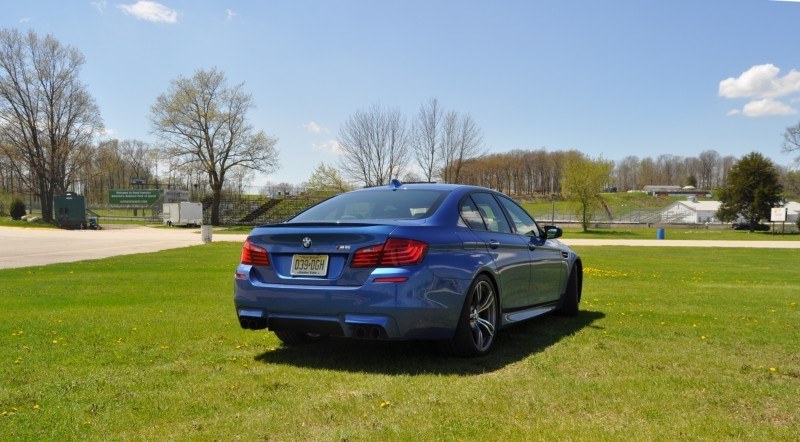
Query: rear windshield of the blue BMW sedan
x,y
378,204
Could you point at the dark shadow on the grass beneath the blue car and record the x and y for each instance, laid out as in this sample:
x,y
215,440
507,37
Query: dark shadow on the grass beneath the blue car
x,y
422,357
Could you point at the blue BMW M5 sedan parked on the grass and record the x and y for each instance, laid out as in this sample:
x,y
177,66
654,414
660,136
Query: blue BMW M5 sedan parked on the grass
x,y
443,262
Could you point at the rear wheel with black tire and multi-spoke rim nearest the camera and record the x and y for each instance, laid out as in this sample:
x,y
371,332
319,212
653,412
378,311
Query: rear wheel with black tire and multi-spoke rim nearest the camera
x,y
477,327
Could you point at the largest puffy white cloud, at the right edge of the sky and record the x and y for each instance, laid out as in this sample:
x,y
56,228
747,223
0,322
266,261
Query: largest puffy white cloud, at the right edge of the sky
x,y
761,81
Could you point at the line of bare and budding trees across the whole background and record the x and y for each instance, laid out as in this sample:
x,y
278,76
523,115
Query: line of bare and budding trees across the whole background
x,y
51,129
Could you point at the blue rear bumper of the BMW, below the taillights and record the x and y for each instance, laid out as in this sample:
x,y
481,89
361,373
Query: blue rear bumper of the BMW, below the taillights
x,y
423,307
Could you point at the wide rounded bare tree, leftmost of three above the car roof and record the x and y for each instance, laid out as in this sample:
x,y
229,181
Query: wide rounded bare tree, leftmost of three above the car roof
x,y
375,146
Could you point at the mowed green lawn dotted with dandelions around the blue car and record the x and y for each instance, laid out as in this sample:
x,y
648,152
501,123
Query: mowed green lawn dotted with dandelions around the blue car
x,y
671,343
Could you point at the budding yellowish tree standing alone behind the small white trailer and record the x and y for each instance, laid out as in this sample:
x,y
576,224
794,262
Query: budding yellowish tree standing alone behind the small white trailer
x,y
203,120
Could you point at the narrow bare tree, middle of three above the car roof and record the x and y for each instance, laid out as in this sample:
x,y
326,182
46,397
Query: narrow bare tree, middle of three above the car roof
x,y
426,139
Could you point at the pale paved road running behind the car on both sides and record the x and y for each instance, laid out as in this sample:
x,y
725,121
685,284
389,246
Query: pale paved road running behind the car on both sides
x,y
21,247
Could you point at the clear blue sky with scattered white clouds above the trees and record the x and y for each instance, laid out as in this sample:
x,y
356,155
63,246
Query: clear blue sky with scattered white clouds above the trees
x,y
611,78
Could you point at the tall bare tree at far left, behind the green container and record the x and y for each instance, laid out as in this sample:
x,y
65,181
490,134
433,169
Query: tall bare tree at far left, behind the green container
x,y
47,117
